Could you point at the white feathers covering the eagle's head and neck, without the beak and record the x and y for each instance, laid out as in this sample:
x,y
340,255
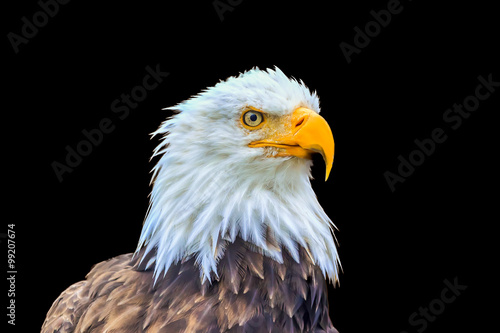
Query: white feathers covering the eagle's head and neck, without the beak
x,y
208,184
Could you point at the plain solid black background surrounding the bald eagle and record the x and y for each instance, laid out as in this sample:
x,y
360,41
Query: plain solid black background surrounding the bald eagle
x,y
396,247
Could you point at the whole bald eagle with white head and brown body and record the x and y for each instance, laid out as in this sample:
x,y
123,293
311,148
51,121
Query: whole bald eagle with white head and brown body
x,y
234,239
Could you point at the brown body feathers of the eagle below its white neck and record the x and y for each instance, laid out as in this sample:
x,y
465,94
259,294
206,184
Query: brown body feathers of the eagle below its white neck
x,y
253,293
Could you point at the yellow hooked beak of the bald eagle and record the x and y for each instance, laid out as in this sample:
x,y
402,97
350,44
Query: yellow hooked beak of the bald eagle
x,y
306,132
